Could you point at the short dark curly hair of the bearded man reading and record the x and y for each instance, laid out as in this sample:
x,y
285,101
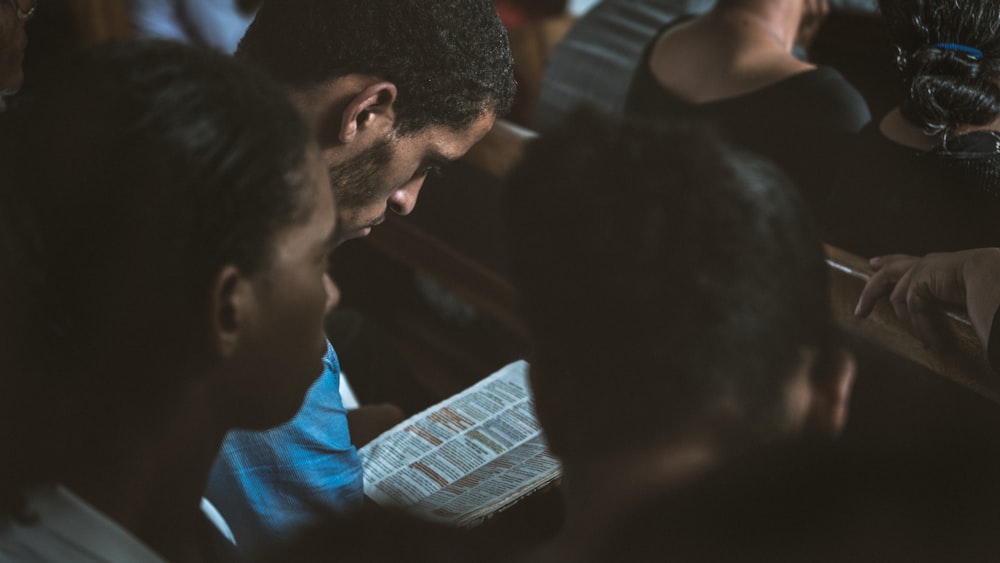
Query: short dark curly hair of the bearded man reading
x,y
449,59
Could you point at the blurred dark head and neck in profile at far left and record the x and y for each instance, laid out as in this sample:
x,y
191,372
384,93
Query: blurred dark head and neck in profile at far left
x,y
166,219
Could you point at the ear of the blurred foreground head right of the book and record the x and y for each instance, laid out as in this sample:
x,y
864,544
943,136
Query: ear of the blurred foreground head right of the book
x,y
831,383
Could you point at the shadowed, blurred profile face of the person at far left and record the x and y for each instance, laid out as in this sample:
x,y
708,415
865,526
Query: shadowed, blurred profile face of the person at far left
x,y
284,356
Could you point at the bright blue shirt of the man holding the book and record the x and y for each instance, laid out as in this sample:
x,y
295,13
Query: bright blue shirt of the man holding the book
x,y
268,484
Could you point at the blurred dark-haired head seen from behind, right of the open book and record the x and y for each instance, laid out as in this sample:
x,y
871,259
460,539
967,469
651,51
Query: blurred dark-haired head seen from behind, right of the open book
x,y
676,294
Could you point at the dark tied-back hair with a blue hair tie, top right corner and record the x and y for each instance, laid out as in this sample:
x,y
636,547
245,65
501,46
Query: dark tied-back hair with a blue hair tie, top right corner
x,y
945,88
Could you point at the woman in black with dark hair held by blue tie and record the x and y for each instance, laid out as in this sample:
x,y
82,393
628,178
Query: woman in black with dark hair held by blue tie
x,y
925,177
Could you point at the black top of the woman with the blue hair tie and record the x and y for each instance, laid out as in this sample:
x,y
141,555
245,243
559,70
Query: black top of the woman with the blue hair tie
x,y
888,198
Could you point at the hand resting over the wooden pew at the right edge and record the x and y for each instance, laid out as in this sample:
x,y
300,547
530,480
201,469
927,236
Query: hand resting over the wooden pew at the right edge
x,y
918,286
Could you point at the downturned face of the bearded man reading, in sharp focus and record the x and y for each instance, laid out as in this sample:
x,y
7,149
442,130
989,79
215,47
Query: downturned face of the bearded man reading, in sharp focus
x,y
388,174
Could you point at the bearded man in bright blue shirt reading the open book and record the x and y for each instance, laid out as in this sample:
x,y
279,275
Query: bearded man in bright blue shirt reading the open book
x,y
392,89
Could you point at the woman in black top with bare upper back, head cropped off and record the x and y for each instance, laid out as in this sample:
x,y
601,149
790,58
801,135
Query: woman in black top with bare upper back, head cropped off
x,y
734,68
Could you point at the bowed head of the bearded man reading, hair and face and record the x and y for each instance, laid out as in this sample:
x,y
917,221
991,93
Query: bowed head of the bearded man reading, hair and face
x,y
393,89
